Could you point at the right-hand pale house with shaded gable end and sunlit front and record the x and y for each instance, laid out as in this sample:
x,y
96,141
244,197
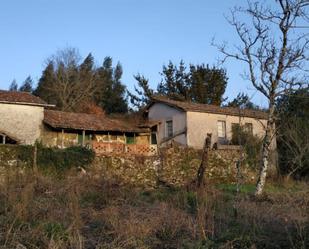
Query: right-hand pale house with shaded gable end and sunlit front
x,y
188,123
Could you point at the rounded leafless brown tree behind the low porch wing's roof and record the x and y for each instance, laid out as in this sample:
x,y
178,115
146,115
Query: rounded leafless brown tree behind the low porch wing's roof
x,y
71,81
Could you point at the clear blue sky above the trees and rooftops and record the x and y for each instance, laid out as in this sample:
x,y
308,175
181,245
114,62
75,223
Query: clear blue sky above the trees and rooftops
x,y
141,34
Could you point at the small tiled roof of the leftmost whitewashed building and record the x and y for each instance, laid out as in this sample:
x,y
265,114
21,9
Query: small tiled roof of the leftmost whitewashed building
x,y
25,98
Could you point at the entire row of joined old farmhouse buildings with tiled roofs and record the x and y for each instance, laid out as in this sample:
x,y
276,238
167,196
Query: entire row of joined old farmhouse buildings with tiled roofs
x,y
25,119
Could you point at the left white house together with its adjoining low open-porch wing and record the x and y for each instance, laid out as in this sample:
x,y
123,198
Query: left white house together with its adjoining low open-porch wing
x,y
25,119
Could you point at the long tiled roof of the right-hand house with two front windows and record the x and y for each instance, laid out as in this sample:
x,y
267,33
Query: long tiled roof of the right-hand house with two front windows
x,y
194,107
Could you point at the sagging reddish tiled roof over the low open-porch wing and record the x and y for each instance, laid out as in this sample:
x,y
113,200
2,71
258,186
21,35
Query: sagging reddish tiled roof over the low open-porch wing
x,y
89,122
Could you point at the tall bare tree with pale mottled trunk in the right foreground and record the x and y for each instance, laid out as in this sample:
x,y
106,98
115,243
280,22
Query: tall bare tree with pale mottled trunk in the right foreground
x,y
274,44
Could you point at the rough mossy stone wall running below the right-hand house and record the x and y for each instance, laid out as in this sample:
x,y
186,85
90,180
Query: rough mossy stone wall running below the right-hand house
x,y
175,167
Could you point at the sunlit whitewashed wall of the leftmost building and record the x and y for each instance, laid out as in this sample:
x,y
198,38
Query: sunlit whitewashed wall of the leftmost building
x,y
22,122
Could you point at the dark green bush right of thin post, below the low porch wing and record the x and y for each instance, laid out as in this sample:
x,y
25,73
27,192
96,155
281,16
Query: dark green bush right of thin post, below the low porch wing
x,y
62,159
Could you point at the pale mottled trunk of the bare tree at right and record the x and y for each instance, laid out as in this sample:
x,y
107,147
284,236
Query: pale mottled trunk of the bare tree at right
x,y
266,151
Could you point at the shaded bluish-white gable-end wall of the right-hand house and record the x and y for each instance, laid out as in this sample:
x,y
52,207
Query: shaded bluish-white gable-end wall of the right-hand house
x,y
161,112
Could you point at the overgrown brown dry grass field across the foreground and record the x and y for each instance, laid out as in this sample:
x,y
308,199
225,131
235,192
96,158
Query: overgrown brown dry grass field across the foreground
x,y
39,211
